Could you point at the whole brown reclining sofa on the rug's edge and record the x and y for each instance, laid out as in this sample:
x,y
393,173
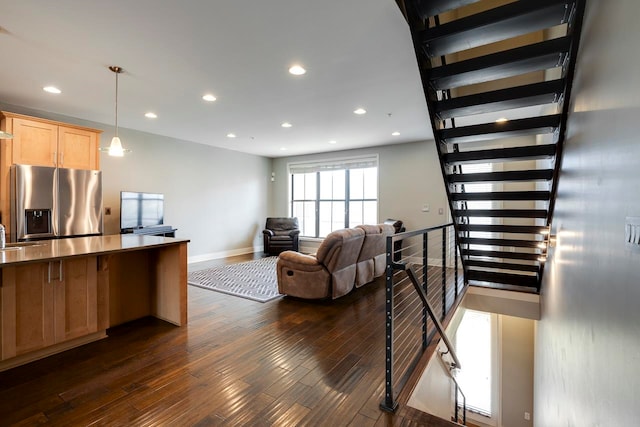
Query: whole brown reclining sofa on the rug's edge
x,y
346,259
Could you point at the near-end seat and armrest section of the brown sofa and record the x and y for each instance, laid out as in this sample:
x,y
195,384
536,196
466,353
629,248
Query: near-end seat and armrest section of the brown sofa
x,y
330,273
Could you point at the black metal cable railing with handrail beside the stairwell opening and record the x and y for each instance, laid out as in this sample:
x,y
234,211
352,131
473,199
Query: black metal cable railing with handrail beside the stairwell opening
x,y
430,259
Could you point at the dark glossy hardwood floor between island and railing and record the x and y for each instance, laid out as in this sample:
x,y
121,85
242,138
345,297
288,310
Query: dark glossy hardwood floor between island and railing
x,y
238,362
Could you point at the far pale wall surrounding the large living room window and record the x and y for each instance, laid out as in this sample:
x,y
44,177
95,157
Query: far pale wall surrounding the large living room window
x,y
409,176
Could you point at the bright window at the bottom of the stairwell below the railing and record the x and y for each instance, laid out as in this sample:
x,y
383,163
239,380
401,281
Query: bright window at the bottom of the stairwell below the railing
x,y
474,347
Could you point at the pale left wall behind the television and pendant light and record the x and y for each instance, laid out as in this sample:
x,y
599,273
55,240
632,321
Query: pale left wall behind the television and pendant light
x,y
217,198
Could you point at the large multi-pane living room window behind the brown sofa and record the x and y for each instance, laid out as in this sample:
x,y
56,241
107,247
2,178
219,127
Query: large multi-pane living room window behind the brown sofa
x,y
327,196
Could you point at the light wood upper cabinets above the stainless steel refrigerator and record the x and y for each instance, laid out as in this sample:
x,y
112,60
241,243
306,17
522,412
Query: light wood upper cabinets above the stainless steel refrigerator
x,y
41,142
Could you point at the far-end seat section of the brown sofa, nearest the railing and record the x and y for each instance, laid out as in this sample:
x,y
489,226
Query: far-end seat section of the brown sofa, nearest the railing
x,y
372,261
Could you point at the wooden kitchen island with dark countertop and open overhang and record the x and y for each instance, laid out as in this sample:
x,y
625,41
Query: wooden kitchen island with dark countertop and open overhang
x,y
62,293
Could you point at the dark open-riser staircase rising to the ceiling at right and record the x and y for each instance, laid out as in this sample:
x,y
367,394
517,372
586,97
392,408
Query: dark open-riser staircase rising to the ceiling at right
x,y
497,78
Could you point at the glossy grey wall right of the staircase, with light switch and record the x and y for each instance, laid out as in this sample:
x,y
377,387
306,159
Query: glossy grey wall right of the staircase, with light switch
x,y
588,341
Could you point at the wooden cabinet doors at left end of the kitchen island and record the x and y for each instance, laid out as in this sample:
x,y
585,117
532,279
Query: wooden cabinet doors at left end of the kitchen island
x,y
47,303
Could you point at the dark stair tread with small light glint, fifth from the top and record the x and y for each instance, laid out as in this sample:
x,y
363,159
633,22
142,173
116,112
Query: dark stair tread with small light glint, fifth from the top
x,y
489,131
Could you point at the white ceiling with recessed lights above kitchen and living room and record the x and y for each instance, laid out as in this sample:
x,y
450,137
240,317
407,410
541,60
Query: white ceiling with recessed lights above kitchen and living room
x,y
358,53
